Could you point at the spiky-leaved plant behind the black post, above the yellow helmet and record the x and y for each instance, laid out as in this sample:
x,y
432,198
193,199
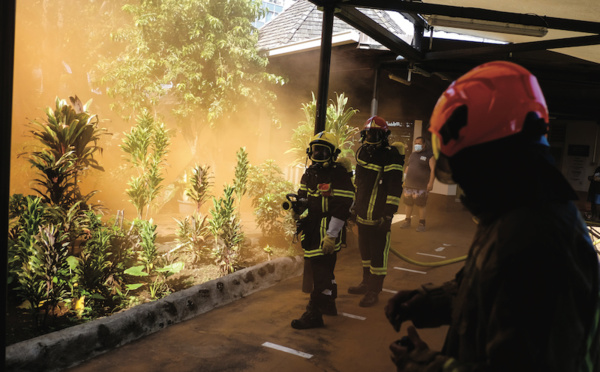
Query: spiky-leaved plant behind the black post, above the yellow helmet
x,y
336,122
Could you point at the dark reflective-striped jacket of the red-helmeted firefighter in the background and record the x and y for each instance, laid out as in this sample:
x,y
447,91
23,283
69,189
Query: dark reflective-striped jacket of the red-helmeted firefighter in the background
x,y
378,182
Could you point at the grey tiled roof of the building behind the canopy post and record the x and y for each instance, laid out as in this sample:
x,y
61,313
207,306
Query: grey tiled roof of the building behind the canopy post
x,y
302,21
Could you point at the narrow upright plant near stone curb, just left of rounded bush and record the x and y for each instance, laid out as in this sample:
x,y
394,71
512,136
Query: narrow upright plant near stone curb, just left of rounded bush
x,y
227,231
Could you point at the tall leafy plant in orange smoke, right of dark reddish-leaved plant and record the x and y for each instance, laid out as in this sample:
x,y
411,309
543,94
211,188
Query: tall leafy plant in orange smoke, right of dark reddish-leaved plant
x,y
147,146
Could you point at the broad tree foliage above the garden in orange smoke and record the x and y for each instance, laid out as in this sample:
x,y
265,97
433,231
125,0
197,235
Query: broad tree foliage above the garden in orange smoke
x,y
193,54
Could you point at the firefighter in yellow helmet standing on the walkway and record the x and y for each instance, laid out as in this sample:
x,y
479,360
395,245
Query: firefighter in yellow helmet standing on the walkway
x,y
327,188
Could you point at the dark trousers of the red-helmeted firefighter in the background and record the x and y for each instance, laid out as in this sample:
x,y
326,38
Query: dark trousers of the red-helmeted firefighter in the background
x,y
374,246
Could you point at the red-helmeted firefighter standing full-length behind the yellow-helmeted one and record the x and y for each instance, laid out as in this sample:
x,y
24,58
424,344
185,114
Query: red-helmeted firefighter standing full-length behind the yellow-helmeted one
x,y
378,181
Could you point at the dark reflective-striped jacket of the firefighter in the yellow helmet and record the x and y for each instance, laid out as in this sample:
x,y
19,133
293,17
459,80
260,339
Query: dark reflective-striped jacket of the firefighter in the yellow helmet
x,y
330,193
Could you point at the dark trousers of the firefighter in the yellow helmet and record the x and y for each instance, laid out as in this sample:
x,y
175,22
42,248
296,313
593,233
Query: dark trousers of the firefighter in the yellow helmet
x,y
325,288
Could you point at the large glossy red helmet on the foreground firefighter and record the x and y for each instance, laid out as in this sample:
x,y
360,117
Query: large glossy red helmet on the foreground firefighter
x,y
487,103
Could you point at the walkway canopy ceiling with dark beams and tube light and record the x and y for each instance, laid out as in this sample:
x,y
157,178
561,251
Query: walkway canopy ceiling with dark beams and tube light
x,y
567,57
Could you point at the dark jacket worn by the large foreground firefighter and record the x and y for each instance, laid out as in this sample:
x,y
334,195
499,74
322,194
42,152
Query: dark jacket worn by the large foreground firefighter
x,y
527,298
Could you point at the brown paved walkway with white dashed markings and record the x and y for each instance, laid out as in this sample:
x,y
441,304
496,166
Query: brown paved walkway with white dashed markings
x,y
254,333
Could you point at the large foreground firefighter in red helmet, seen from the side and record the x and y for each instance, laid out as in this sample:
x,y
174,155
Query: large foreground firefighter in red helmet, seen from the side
x,y
527,298
